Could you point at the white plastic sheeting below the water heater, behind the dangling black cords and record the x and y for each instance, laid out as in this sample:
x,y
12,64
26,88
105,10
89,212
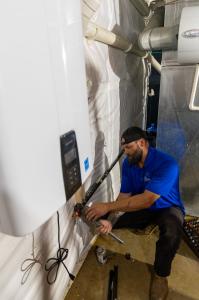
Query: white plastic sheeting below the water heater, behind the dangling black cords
x,y
22,277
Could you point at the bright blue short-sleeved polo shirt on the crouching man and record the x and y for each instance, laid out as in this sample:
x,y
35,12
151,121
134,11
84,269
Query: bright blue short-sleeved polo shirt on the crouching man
x,y
159,175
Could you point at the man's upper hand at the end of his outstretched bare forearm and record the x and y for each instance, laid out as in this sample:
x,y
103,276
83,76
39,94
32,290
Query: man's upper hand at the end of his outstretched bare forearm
x,y
96,210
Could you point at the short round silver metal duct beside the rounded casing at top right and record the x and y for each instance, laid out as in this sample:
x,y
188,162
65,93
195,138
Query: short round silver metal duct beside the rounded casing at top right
x,y
160,38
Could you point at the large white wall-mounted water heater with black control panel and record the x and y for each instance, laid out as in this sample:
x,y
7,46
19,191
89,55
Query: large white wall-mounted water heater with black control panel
x,y
45,151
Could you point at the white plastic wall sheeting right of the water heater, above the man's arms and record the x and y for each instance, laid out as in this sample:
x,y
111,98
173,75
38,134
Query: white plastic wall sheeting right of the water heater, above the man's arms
x,y
116,89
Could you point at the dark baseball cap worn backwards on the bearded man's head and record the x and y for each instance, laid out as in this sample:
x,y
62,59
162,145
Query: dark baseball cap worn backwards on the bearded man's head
x,y
132,134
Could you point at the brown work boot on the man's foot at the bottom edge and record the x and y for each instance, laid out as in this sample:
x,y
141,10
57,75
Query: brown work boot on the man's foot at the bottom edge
x,y
159,288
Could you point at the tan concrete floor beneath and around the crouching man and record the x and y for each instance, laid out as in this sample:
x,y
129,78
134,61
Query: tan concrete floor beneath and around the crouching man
x,y
134,277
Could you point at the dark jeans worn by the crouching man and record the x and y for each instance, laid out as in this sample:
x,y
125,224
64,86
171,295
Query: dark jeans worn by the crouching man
x,y
170,222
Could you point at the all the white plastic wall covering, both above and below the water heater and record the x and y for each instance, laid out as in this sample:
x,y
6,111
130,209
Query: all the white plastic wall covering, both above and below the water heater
x,y
117,88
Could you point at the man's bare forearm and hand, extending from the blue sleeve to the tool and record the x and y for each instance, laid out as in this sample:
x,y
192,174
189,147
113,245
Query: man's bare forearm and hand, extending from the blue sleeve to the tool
x,y
124,203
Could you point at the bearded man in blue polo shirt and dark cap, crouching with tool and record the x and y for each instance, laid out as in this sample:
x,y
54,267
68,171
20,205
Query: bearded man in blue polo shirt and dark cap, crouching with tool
x,y
149,195
